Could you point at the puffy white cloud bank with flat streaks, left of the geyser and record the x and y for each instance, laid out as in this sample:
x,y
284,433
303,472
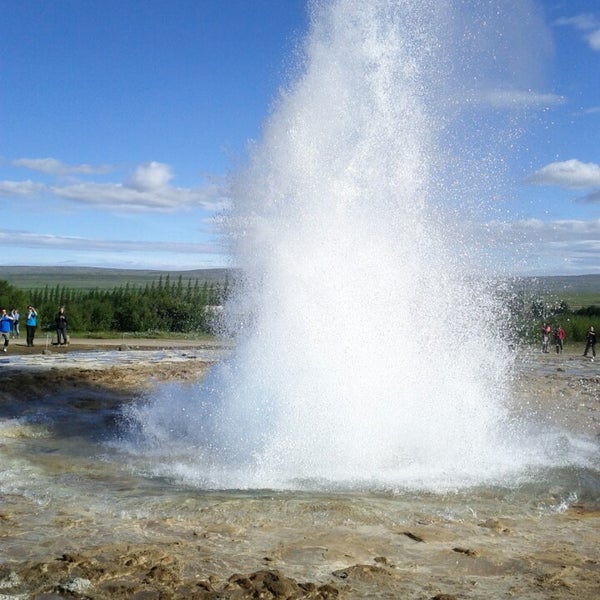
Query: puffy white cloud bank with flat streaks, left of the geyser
x,y
147,189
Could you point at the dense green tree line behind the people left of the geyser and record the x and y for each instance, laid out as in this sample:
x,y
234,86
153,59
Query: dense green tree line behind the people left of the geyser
x,y
160,306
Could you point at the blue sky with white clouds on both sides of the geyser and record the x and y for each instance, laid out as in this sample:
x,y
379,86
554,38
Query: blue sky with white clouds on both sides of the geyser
x,y
120,120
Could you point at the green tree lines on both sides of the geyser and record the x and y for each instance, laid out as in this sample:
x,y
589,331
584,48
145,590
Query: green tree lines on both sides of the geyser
x,y
191,307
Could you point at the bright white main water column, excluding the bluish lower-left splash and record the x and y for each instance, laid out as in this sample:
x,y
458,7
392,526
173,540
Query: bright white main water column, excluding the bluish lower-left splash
x,y
368,349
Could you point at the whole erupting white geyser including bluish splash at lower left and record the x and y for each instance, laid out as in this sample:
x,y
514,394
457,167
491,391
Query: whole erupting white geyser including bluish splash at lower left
x,y
368,348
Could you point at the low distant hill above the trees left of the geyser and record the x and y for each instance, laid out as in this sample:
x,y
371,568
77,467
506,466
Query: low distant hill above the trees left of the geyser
x,y
30,278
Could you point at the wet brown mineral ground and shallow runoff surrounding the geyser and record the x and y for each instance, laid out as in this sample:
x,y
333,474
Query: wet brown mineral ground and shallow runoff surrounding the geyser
x,y
77,521
